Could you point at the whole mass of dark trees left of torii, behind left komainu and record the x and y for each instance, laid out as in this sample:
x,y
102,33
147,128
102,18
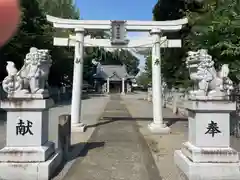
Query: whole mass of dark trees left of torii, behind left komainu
x,y
34,30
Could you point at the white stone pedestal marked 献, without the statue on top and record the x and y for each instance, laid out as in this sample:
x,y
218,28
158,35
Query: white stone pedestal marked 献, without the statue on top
x,y
28,153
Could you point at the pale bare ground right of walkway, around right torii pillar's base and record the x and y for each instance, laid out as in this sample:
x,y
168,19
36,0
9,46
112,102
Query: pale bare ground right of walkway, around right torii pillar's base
x,y
161,146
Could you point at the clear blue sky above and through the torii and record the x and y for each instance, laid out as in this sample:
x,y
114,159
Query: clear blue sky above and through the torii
x,y
117,10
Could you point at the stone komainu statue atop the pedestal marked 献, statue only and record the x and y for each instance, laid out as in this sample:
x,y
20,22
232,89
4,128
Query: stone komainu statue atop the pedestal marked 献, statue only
x,y
32,77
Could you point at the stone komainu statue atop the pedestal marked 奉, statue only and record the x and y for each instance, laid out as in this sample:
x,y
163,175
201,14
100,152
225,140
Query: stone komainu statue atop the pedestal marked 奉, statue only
x,y
210,83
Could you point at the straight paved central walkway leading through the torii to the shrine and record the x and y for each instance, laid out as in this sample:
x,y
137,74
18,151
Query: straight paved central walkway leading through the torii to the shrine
x,y
116,149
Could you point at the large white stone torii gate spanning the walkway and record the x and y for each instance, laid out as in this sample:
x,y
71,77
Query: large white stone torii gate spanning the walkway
x,y
119,30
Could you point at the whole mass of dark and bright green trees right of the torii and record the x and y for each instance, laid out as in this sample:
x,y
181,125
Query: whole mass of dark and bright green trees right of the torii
x,y
213,24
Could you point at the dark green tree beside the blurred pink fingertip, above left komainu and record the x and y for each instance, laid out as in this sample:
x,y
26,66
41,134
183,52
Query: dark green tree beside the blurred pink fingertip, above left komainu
x,y
32,32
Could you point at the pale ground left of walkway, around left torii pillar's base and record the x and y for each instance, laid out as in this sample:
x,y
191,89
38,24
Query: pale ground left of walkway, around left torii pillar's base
x,y
92,109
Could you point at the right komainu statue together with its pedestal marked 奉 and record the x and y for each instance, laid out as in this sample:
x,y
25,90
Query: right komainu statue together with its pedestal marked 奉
x,y
207,154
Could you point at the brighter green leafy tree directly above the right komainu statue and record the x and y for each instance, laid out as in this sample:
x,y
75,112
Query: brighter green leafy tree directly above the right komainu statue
x,y
218,30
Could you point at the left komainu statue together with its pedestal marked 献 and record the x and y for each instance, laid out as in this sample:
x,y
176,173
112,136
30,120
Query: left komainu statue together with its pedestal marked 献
x,y
28,154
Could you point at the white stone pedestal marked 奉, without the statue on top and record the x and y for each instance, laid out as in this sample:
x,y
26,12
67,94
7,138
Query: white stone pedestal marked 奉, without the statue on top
x,y
207,154
